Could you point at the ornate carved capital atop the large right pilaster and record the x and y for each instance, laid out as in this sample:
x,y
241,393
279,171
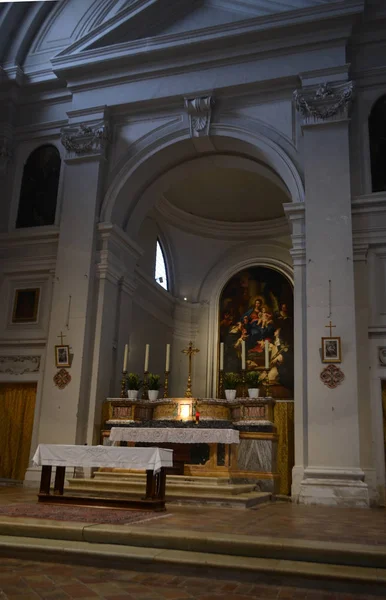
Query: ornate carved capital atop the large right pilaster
x,y
325,103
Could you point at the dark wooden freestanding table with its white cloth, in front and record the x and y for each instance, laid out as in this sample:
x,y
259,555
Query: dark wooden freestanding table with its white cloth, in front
x,y
154,460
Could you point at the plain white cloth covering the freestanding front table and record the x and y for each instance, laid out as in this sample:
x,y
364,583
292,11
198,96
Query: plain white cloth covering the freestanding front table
x,y
57,455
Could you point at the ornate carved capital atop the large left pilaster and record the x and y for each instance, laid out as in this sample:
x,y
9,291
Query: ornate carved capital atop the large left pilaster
x,y
85,139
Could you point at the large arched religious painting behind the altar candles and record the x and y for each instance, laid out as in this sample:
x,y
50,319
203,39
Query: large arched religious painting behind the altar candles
x,y
256,306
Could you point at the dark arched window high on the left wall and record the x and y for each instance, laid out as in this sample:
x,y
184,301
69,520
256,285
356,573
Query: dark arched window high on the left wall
x,y
39,188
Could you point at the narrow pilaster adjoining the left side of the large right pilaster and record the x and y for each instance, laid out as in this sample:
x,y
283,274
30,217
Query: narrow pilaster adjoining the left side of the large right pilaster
x,y
295,213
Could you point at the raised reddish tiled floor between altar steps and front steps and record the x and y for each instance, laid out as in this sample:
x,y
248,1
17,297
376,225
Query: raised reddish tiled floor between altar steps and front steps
x,y
281,519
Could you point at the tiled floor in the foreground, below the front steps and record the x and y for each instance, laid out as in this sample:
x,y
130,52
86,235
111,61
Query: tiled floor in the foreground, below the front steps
x,y
22,580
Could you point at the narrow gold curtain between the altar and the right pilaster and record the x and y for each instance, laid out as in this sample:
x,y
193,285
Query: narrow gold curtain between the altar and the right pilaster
x,y
284,421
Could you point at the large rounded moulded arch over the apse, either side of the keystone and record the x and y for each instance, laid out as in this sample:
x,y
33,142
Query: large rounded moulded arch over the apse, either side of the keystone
x,y
131,193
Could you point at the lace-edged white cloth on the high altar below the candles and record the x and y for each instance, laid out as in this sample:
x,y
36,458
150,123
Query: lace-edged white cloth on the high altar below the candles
x,y
162,435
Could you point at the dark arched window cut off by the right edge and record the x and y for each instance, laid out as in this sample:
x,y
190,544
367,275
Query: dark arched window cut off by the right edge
x,y
377,132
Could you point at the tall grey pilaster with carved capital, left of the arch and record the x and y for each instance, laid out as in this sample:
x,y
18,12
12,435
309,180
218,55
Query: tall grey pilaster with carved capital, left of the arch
x,y
64,410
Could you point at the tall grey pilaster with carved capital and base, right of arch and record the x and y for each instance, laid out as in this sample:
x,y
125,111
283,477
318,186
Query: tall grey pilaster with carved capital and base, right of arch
x,y
333,474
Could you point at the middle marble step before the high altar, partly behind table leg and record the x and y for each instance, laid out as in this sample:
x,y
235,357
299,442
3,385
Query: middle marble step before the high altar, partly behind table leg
x,y
171,487
